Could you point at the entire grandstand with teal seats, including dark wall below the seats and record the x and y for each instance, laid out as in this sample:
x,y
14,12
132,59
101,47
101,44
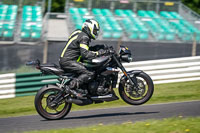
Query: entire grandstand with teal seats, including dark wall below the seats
x,y
155,28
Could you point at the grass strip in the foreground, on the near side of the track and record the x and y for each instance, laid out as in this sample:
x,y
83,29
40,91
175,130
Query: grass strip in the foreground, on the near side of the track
x,y
169,125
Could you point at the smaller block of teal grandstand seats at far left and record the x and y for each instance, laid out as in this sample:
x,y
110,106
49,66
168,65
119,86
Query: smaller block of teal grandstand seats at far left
x,y
21,23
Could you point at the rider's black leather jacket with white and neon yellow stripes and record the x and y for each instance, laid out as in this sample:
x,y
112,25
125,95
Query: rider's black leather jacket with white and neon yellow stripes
x,y
77,47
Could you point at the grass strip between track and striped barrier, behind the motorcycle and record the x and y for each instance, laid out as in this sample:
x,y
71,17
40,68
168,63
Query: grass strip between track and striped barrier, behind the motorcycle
x,y
163,93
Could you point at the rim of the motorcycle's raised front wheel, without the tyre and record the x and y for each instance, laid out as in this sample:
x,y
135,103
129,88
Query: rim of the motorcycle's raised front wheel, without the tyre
x,y
141,93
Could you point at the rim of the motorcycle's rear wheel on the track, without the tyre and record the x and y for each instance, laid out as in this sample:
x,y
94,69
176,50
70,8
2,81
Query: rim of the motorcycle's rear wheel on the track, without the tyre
x,y
45,103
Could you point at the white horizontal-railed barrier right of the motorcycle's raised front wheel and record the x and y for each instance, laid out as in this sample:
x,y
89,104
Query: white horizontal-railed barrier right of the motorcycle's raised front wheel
x,y
169,70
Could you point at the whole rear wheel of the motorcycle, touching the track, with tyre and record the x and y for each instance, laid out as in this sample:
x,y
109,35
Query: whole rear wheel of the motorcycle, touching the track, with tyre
x,y
48,109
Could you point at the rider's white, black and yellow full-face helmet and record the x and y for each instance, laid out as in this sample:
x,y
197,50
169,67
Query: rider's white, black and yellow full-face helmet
x,y
91,27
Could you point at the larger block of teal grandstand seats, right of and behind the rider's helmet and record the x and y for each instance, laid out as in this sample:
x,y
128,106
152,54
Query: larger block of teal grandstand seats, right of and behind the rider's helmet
x,y
140,25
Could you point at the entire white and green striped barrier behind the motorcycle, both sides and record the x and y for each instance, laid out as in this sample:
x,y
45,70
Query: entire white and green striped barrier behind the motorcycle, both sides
x,y
161,71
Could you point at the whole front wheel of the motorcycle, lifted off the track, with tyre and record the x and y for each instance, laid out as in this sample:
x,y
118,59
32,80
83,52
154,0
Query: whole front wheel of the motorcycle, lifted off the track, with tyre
x,y
140,95
